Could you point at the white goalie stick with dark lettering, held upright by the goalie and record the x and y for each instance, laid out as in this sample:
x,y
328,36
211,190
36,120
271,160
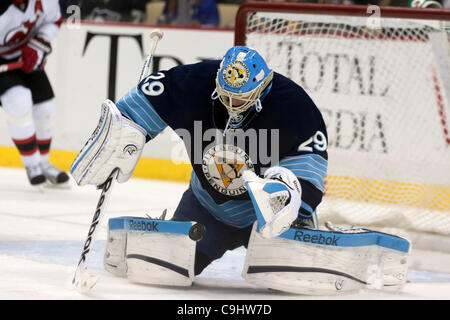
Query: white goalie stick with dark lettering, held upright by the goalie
x,y
82,280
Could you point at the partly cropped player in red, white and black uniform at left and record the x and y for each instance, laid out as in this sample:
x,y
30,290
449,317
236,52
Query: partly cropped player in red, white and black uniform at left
x,y
27,28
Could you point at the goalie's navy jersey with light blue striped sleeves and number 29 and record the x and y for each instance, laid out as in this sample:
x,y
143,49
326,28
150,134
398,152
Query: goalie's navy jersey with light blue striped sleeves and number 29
x,y
288,131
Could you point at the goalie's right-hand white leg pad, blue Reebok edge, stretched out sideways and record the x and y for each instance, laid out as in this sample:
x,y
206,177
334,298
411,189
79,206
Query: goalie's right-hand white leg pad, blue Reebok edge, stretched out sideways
x,y
314,262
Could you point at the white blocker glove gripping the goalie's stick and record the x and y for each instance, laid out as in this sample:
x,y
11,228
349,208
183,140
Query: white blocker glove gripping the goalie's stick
x,y
116,143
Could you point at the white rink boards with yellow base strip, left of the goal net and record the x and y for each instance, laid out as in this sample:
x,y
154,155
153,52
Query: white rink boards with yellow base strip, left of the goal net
x,y
95,61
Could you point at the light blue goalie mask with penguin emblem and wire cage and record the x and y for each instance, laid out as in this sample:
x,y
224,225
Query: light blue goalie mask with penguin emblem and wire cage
x,y
241,80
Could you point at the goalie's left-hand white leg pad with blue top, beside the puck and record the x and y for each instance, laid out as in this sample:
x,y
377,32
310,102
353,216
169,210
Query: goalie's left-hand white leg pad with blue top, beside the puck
x,y
150,251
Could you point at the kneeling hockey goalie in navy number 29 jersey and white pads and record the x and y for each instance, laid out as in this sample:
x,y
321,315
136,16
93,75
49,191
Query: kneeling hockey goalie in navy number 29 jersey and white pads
x,y
236,197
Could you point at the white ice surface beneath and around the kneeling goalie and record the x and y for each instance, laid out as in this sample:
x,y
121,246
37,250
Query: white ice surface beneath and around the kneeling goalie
x,y
42,233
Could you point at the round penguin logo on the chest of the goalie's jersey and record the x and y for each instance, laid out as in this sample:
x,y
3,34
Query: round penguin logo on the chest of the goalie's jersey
x,y
223,166
